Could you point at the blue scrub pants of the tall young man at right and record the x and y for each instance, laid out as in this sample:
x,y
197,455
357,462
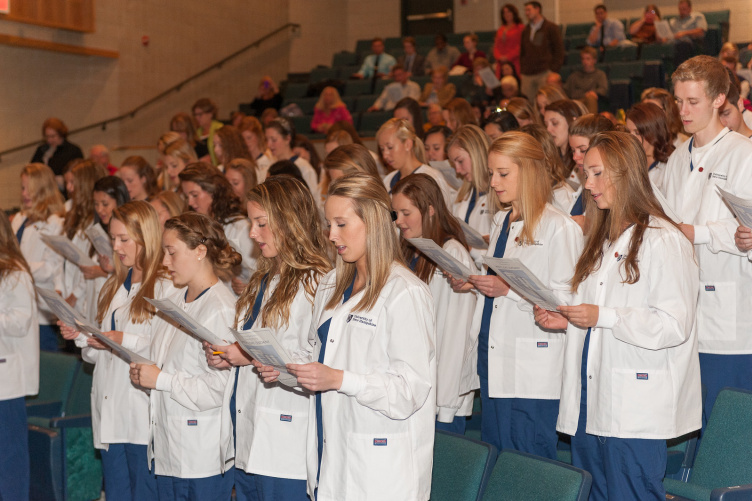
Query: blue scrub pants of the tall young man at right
x,y
720,371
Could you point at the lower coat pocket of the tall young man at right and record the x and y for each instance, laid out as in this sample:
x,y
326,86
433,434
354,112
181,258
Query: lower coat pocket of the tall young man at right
x,y
716,319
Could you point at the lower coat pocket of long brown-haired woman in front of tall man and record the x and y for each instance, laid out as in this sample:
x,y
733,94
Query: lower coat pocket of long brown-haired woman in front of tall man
x,y
642,398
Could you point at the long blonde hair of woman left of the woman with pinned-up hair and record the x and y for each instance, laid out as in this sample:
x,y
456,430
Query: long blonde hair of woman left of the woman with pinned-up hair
x,y
142,225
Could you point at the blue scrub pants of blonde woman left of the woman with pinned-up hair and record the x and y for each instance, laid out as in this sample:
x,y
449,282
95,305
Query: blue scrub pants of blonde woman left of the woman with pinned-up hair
x,y
126,473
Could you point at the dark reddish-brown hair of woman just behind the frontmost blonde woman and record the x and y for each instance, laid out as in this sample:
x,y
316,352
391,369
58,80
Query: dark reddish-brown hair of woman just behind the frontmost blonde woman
x,y
424,192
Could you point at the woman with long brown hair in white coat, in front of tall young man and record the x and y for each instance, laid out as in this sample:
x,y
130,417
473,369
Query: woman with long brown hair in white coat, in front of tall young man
x,y
631,370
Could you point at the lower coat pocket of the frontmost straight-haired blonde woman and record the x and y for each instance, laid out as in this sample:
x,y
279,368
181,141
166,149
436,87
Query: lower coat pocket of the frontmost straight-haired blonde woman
x,y
379,466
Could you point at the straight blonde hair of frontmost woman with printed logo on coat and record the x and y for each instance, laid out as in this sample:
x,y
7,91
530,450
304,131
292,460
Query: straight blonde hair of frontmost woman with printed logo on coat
x,y
372,205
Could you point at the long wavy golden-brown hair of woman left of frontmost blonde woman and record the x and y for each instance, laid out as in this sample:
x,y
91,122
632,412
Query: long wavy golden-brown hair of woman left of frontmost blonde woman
x,y
301,249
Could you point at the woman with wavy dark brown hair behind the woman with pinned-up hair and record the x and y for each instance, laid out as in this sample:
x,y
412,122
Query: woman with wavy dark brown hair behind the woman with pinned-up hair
x,y
209,192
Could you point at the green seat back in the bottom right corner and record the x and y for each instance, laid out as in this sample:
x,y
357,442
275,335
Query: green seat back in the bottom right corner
x,y
725,454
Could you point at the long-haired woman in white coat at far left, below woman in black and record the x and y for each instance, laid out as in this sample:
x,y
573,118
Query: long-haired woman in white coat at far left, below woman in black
x,y
41,213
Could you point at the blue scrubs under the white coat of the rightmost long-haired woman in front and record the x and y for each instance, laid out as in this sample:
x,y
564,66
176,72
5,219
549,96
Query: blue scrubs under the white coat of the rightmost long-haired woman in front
x,y
622,468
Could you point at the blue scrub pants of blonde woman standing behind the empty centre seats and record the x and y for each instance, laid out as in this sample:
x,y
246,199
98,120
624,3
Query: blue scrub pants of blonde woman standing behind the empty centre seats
x,y
523,424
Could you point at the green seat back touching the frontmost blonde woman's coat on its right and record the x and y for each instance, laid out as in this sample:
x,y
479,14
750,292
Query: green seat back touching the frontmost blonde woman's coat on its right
x,y
461,467
